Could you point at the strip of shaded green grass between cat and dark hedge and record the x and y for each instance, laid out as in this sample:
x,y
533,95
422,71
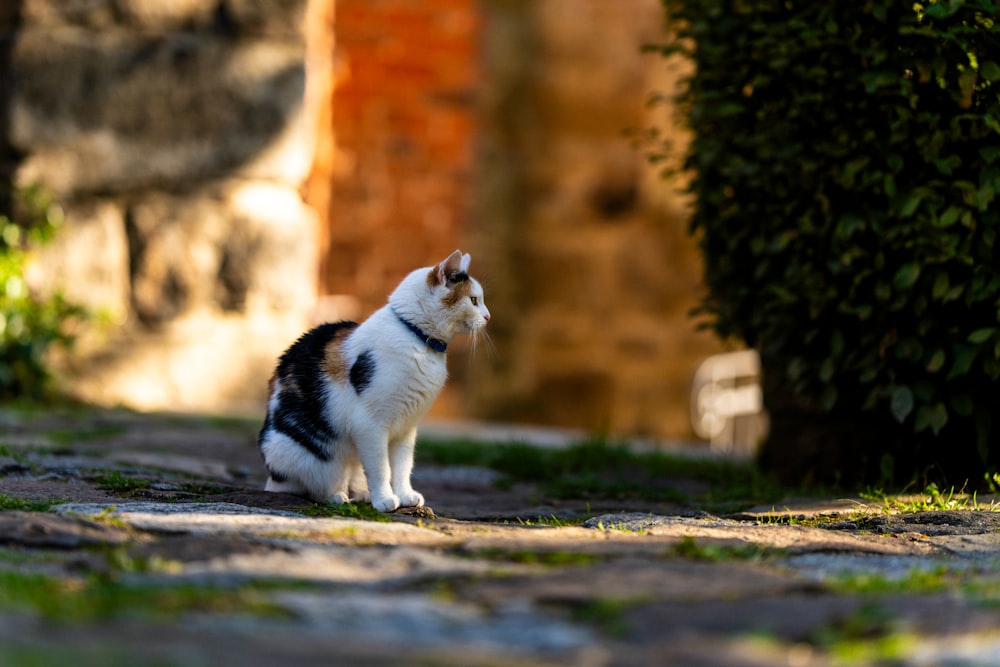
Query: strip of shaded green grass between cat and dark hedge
x,y
597,468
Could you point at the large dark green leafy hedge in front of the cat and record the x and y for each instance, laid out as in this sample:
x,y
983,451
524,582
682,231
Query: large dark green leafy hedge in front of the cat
x,y
845,160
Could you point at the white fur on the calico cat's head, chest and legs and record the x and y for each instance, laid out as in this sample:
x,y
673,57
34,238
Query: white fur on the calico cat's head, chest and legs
x,y
374,456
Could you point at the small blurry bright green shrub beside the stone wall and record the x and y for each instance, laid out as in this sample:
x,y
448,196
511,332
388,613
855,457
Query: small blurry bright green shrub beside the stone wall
x,y
30,324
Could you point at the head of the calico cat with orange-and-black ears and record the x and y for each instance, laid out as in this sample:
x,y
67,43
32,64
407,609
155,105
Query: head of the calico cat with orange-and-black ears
x,y
443,299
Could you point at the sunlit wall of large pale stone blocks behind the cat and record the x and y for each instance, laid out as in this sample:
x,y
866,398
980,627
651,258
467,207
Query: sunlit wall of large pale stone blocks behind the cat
x,y
173,134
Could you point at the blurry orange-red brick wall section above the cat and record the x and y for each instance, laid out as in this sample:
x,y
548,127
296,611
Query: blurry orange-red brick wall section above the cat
x,y
403,121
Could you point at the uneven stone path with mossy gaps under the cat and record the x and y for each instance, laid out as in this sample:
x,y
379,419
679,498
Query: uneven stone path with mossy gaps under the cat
x,y
145,538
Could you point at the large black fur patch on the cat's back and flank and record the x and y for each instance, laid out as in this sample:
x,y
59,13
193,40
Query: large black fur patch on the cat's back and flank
x,y
301,412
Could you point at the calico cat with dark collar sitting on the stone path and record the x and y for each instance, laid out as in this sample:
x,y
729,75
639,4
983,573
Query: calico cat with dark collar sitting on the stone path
x,y
346,398
